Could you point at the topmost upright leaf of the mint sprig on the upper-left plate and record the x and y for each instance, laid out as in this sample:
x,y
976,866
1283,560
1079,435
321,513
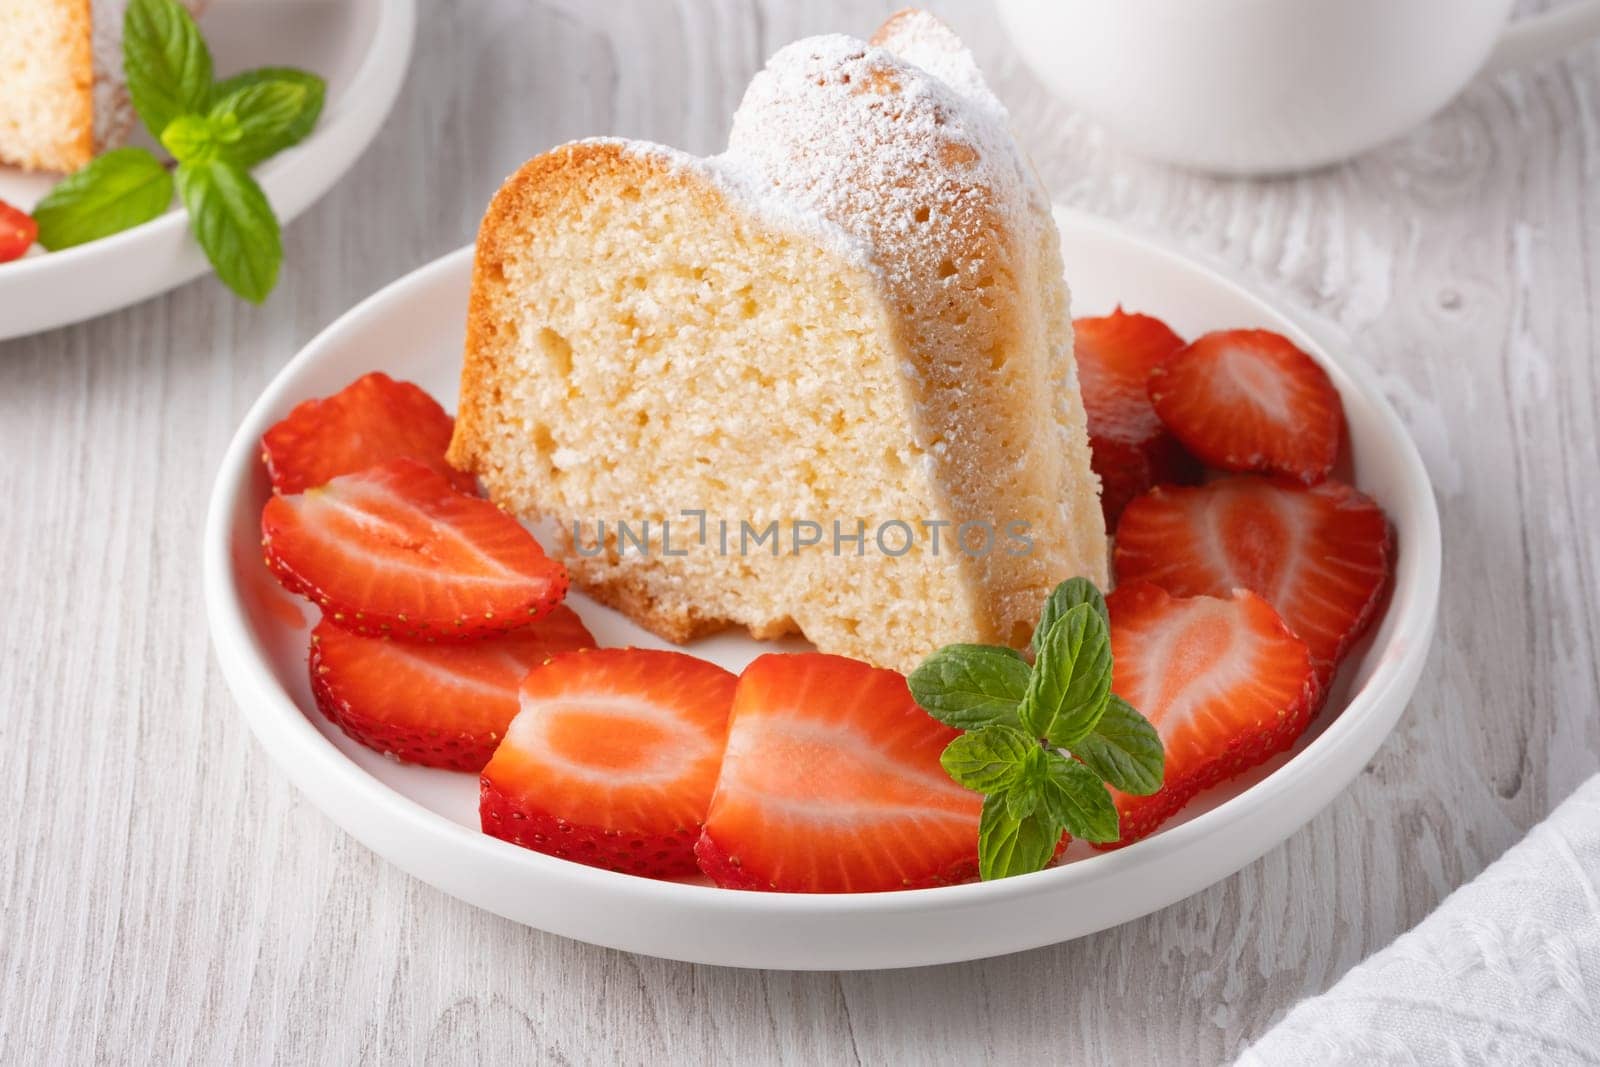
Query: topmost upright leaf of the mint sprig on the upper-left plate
x,y
167,63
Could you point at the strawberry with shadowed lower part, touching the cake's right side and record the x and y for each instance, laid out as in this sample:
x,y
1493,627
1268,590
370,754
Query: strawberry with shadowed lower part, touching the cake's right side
x,y
1130,447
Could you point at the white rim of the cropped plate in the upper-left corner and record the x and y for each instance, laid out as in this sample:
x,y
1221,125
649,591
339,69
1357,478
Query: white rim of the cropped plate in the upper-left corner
x,y
294,180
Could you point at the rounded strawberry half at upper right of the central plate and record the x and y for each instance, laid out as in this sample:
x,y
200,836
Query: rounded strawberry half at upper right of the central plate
x,y
1250,401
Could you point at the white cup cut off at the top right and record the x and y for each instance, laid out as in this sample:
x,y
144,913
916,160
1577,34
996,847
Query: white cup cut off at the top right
x,y
1255,87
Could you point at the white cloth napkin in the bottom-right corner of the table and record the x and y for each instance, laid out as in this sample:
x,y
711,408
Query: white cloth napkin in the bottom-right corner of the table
x,y
1505,972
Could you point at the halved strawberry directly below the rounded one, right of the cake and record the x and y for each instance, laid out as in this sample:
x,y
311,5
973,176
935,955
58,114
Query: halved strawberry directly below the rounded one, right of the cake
x,y
1321,556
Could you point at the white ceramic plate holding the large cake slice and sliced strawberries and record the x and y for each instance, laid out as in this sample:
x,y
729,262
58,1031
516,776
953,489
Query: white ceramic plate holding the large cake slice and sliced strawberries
x,y
426,821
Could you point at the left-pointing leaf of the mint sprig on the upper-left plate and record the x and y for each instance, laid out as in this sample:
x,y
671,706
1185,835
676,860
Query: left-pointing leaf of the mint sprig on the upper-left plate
x,y
118,191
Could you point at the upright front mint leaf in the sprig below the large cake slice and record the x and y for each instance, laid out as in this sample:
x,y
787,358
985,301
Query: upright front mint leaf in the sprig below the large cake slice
x,y
1071,682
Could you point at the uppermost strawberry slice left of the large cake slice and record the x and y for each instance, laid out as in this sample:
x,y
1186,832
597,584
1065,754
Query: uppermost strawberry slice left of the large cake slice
x,y
372,420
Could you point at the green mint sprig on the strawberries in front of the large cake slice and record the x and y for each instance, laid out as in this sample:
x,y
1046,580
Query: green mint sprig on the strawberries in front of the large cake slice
x,y
1042,741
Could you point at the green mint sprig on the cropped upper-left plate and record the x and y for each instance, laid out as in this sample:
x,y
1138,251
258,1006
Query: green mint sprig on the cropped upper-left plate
x,y
215,134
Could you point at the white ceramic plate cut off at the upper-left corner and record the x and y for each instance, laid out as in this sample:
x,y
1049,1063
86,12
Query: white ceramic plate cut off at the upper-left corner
x,y
362,47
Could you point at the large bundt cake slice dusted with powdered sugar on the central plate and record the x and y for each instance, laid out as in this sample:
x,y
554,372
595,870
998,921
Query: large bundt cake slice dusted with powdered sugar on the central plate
x,y
820,383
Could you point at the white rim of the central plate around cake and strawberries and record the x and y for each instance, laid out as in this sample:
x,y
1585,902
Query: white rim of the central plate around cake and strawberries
x,y
263,700
